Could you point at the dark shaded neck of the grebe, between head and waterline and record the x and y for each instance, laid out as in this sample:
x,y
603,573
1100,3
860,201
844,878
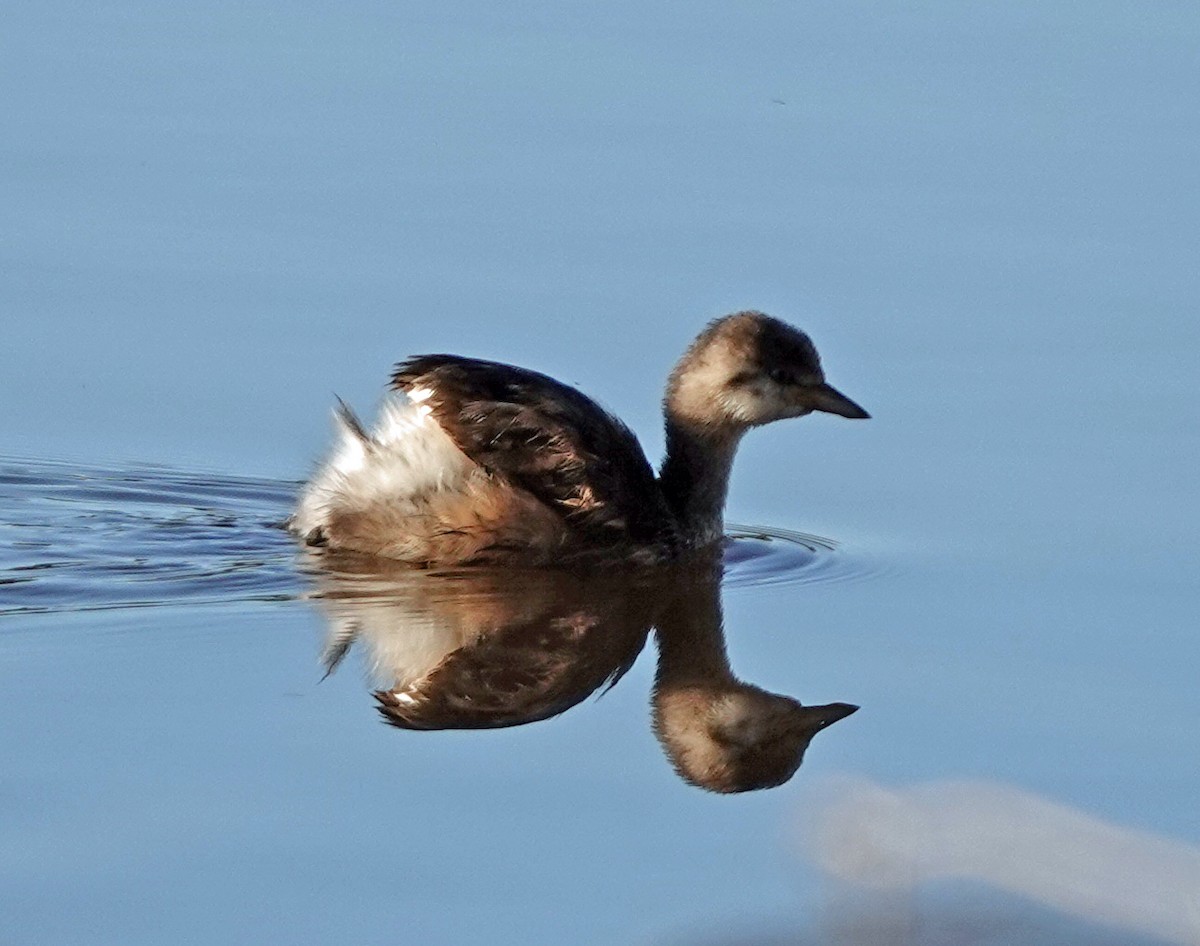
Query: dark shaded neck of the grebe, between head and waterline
x,y
695,477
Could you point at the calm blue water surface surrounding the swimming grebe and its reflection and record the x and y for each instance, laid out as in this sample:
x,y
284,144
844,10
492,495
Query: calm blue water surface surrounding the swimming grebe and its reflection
x,y
218,217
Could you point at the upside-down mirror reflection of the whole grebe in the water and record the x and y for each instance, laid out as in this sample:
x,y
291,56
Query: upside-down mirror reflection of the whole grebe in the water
x,y
483,649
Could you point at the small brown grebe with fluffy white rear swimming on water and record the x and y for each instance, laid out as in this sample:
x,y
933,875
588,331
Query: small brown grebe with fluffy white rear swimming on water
x,y
477,463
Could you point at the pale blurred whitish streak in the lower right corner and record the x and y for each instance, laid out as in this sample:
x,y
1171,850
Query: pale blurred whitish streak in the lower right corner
x,y
1049,853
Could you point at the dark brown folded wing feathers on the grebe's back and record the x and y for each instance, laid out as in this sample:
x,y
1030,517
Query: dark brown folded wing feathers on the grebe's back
x,y
549,440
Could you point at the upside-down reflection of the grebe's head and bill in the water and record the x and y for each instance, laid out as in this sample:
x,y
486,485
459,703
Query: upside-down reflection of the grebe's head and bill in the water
x,y
737,738
